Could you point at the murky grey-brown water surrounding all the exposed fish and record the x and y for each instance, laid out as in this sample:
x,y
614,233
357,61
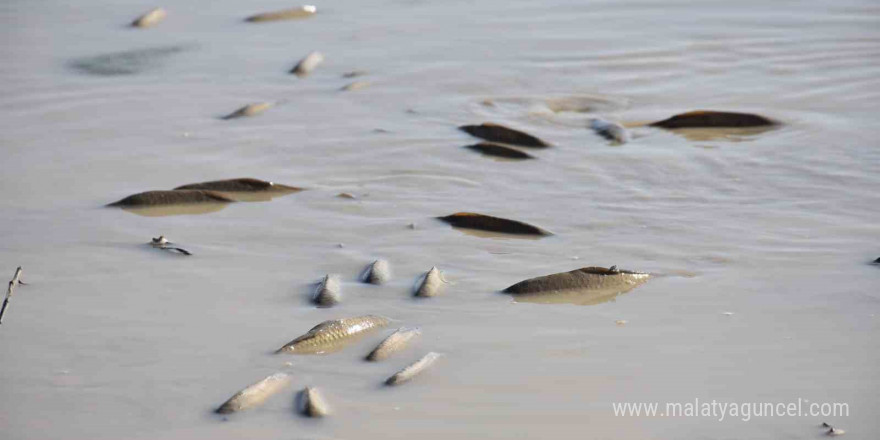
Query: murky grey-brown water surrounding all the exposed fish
x,y
114,339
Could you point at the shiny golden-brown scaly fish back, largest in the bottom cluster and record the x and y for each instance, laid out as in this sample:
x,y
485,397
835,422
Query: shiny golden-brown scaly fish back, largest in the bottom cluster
x,y
334,334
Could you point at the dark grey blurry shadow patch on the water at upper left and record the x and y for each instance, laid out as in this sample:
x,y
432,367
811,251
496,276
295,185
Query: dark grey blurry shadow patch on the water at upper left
x,y
129,62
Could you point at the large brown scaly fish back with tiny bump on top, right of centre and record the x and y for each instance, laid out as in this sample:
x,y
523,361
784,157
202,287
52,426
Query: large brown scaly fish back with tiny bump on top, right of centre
x,y
587,285
